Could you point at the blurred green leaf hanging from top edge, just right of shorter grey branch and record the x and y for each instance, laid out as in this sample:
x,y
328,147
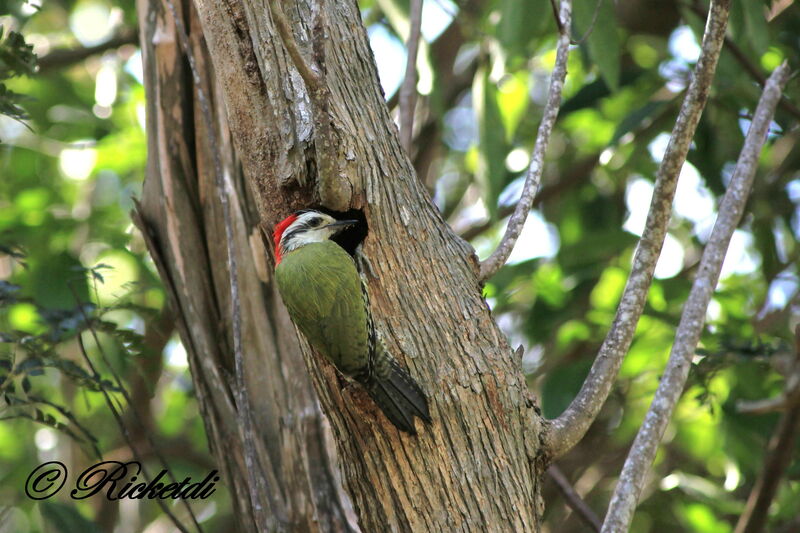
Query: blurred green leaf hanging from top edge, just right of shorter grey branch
x,y
603,42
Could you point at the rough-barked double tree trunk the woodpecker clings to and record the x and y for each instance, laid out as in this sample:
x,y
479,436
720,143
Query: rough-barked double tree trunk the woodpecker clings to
x,y
478,466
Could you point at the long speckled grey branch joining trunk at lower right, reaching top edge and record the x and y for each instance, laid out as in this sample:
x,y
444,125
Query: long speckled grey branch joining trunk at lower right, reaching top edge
x,y
566,430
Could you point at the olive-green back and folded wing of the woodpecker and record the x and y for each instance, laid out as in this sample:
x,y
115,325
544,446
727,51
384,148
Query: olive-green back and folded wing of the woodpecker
x,y
321,289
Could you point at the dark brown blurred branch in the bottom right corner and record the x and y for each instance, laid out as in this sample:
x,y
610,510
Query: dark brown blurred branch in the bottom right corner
x,y
778,457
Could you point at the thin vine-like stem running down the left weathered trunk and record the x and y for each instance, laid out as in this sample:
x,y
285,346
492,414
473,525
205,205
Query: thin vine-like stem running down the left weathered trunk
x,y
256,480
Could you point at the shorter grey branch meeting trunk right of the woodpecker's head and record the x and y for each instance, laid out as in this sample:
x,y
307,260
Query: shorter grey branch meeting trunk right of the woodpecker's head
x,y
534,174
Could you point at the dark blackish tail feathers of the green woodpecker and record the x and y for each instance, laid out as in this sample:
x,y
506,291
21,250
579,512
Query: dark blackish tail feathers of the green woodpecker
x,y
398,396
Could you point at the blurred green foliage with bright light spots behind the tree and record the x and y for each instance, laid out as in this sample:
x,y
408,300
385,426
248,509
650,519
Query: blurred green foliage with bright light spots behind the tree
x,y
71,263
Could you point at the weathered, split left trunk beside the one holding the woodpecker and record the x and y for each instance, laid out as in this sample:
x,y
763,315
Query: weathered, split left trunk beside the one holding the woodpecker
x,y
180,219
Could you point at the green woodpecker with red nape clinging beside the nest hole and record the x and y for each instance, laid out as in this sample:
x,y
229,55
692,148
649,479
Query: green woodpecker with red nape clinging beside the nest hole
x,y
323,293
